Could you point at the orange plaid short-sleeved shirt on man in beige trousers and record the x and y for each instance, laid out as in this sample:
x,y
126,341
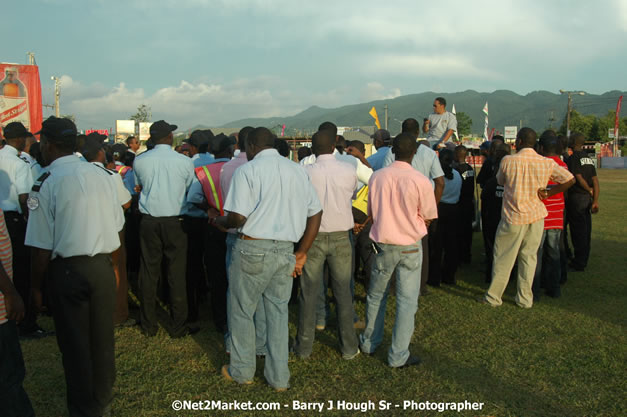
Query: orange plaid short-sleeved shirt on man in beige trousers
x,y
522,175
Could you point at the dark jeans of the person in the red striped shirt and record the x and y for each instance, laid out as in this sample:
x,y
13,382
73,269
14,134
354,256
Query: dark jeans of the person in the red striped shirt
x,y
548,268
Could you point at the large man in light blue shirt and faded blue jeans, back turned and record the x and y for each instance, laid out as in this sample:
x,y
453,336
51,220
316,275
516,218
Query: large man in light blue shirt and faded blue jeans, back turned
x,y
273,204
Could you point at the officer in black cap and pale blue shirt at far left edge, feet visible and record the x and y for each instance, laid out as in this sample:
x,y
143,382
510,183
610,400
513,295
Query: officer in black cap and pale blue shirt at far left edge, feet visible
x,y
15,183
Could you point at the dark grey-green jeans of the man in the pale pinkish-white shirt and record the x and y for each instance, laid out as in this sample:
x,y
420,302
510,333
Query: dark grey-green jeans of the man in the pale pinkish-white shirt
x,y
335,249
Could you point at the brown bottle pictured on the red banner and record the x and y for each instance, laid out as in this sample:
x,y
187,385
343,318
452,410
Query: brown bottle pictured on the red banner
x,y
13,99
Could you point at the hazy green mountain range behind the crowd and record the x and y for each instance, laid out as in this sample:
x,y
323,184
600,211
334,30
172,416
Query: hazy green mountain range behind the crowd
x,y
538,110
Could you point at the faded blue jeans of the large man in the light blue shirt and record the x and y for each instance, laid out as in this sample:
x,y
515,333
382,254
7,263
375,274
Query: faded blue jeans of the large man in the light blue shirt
x,y
260,270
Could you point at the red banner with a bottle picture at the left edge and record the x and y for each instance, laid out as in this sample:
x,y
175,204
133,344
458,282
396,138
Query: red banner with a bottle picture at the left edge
x,y
20,96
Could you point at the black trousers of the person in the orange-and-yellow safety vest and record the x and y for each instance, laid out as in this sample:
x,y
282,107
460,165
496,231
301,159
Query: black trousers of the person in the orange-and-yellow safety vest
x,y
215,253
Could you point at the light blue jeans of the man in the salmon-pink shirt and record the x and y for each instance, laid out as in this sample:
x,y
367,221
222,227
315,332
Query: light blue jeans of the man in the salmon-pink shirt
x,y
408,262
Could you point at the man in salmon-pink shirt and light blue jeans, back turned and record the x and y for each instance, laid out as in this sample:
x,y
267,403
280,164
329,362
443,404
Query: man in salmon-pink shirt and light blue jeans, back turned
x,y
402,204
